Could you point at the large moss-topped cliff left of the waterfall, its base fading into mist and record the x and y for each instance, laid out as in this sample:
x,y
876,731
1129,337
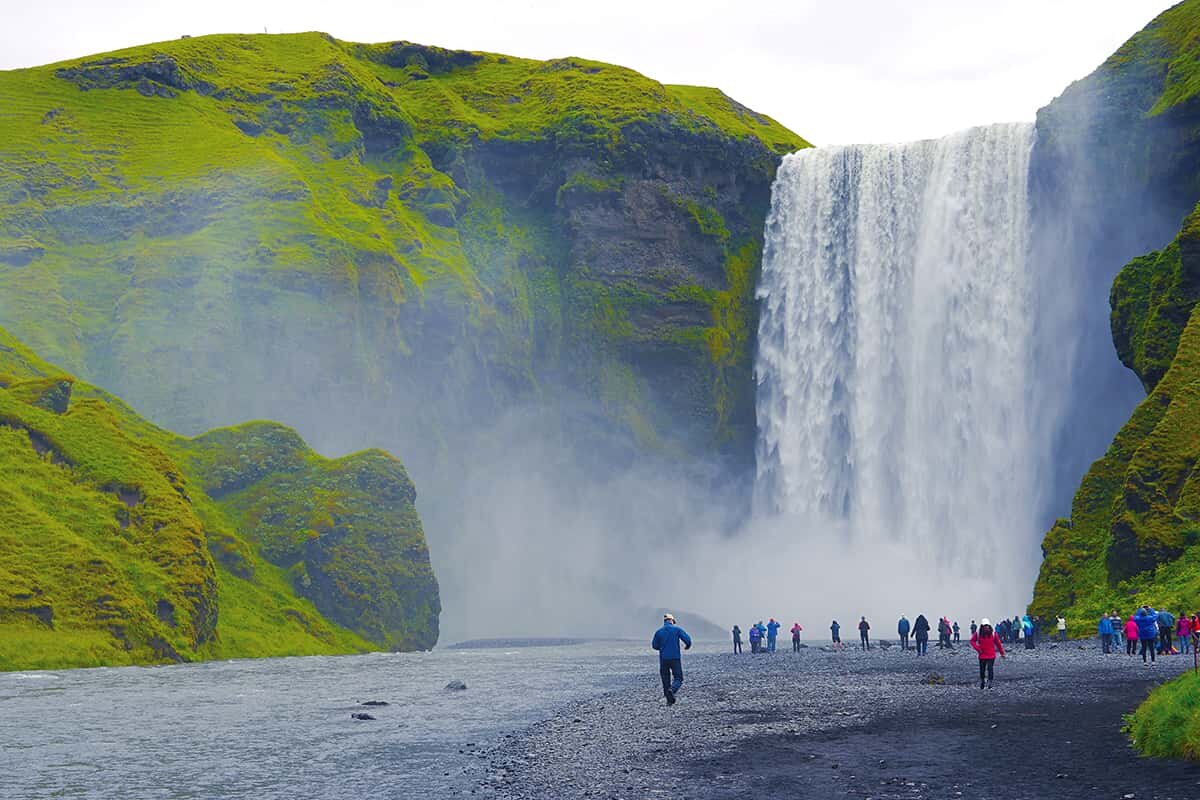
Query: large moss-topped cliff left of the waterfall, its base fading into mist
x,y
423,238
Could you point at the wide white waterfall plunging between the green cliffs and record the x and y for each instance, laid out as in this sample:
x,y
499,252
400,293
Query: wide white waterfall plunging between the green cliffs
x,y
896,346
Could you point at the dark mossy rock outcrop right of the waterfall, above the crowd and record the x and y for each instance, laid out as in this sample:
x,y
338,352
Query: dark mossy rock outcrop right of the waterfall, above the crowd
x,y
1135,530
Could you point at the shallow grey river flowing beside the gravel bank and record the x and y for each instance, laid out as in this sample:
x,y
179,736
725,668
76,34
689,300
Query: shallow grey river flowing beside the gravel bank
x,y
281,727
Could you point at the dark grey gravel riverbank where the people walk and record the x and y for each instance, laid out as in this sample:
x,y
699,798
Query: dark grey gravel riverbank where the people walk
x,y
853,725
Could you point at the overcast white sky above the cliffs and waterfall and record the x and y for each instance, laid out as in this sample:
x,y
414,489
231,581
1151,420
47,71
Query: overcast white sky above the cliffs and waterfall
x,y
835,73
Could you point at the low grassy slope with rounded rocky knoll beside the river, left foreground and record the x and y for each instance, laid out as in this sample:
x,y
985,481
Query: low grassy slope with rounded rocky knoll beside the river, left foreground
x,y
112,552
